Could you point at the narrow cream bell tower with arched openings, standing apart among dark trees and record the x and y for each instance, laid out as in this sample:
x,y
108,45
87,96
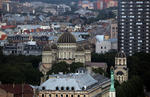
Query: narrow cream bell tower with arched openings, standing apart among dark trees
x,y
121,70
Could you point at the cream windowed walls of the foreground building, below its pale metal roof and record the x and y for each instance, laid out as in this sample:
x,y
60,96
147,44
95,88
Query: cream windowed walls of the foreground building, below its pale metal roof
x,y
97,91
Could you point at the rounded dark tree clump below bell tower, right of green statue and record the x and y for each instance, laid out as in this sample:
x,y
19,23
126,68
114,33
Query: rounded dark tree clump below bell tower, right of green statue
x,y
132,88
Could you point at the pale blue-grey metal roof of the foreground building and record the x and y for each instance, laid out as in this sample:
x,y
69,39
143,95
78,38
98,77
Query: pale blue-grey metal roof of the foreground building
x,y
76,80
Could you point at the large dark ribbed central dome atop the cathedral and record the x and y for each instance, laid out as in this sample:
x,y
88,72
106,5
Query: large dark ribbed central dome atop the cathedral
x,y
66,37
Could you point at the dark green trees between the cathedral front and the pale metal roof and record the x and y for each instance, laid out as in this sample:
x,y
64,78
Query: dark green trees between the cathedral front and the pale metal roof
x,y
64,67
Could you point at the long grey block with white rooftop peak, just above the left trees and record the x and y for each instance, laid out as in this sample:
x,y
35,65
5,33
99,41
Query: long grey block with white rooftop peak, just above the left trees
x,y
29,48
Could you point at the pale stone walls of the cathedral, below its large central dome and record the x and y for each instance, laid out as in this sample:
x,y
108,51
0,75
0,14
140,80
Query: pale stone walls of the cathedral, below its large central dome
x,y
66,52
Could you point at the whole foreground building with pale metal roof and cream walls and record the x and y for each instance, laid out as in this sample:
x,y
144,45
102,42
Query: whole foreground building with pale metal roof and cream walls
x,y
75,85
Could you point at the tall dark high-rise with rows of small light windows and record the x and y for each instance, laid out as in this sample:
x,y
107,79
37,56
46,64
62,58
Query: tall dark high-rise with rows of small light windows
x,y
134,26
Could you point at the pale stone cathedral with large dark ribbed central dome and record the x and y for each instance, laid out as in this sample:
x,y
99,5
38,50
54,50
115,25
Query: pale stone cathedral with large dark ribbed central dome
x,y
66,49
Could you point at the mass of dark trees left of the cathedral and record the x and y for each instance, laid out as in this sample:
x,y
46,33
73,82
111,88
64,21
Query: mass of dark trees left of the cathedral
x,y
19,69
